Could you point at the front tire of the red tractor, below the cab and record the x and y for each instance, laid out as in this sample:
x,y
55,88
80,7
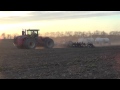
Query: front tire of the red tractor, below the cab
x,y
29,44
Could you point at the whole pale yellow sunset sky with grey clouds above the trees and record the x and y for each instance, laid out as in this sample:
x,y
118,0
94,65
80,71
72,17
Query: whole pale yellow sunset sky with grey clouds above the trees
x,y
49,21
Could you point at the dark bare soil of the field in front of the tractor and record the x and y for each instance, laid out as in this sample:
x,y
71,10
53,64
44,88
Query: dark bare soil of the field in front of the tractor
x,y
59,63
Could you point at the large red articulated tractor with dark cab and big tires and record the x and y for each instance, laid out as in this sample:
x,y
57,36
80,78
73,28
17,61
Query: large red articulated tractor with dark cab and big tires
x,y
30,40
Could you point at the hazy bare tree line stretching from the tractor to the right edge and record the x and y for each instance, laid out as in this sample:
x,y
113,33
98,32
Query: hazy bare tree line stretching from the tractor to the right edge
x,y
96,33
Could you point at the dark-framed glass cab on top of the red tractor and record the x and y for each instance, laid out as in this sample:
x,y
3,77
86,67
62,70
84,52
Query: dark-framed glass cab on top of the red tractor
x,y
31,32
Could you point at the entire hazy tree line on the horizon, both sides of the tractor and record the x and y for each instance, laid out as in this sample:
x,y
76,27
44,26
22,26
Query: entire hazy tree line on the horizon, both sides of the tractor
x,y
76,34
